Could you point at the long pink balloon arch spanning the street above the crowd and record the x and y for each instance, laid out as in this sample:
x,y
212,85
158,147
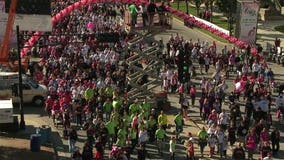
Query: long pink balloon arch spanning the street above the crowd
x,y
66,11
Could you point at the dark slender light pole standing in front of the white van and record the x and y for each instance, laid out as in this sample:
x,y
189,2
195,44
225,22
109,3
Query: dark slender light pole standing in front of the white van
x,y
20,87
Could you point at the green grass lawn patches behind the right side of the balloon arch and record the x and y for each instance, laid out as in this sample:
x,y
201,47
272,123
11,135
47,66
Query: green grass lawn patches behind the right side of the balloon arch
x,y
218,20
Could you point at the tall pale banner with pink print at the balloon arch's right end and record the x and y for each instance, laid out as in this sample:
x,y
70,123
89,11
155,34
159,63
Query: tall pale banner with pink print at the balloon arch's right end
x,y
248,22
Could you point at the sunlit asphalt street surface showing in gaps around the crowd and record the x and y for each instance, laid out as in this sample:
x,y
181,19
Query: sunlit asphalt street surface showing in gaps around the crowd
x,y
35,116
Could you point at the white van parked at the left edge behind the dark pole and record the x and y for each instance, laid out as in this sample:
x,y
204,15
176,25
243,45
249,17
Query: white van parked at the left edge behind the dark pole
x,y
32,92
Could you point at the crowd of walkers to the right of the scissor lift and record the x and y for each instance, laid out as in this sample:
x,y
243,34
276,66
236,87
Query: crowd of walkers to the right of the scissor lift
x,y
225,126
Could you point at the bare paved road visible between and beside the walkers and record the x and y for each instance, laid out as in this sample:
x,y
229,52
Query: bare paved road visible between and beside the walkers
x,y
34,116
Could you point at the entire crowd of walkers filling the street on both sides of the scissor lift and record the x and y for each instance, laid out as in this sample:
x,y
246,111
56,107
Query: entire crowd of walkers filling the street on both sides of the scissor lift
x,y
88,87
